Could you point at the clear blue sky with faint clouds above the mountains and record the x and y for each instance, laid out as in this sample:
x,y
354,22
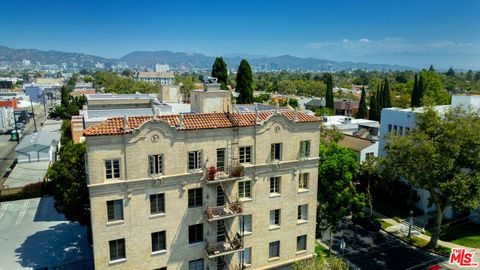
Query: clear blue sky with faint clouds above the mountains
x,y
415,33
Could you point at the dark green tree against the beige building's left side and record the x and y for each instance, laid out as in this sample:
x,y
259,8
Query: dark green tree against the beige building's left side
x,y
69,184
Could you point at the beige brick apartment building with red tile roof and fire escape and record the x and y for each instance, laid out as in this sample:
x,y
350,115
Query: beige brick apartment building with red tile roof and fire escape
x,y
203,191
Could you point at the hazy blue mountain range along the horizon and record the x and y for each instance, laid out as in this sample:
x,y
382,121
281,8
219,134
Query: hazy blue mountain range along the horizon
x,y
186,60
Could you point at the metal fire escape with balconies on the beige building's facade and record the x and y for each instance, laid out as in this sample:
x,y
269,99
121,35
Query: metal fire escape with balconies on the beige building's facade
x,y
223,216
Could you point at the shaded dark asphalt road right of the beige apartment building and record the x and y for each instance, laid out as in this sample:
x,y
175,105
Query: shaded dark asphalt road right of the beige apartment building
x,y
368,250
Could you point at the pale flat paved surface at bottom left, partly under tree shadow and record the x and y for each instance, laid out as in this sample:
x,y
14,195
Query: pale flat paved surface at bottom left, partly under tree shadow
x,y
33,235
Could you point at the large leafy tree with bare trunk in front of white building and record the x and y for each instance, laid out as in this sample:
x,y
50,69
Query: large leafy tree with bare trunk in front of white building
x,y
440,156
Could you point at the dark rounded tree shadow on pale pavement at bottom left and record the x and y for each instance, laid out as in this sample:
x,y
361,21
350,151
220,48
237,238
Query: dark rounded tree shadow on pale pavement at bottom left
x,y
60,245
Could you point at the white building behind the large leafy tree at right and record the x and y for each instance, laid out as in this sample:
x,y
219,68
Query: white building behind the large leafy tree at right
x,y
400,121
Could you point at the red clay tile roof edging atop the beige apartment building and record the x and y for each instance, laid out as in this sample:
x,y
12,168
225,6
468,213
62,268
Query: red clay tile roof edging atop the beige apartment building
x,y
114,126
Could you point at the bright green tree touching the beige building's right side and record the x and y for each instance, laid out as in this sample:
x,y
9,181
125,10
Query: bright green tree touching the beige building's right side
x,y
337,196
